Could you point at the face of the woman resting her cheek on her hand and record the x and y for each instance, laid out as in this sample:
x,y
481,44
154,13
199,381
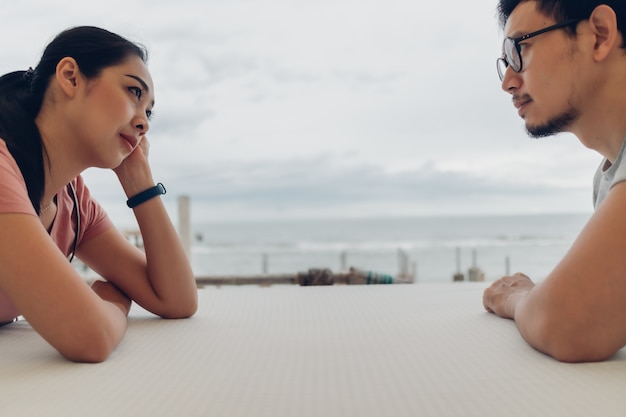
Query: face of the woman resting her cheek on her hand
x,y
114,113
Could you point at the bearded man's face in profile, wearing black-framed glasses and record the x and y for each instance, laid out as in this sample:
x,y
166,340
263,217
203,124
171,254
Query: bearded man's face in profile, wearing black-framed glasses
x,y
544,91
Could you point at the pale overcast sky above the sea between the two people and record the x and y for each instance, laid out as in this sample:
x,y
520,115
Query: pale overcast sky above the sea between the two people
x,y
328,108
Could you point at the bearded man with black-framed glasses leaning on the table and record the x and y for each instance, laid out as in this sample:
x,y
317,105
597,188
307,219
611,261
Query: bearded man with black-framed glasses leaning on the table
x,y
564,64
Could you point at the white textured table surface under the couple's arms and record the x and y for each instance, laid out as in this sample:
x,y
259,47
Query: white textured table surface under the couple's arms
x,y
377,350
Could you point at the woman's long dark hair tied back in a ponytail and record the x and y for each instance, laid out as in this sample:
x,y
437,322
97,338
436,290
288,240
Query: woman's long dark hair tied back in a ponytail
x,y
22,93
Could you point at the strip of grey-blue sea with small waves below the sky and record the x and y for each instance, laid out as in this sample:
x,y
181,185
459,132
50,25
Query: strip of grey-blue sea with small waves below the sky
x,y
436,248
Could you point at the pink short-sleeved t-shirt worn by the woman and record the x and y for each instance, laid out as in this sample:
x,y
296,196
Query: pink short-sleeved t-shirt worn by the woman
x,y
14,199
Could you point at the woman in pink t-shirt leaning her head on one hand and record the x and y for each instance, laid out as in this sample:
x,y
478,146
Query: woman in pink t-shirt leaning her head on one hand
x,y
86,104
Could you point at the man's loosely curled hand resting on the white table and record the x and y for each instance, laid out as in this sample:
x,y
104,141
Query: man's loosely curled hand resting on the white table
x,y
503,295
